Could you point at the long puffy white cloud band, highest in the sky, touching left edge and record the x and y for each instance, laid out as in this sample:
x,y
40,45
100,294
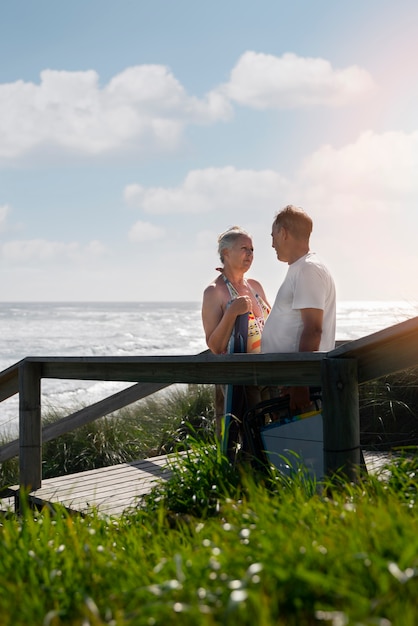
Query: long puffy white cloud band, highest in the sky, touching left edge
x,y
145,108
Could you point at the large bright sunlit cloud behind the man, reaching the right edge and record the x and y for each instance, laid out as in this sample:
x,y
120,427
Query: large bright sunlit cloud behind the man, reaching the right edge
x,y
363,197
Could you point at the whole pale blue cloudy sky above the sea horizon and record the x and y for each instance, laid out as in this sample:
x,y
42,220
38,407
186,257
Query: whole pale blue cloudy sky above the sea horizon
x,y
134,132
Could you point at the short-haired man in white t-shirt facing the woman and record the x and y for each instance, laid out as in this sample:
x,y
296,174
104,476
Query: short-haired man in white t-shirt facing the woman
x,y
303,316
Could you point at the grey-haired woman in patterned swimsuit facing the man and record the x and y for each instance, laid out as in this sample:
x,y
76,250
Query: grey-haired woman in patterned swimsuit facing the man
x,y
233,304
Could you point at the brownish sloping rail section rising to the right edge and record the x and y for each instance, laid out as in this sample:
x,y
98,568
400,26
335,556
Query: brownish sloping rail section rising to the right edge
x,y
385,352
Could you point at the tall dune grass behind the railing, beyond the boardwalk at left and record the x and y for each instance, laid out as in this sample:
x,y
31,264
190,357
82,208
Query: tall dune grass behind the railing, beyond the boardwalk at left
x,y
156,425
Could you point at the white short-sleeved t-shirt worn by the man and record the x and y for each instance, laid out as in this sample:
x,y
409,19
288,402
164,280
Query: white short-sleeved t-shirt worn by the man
x,y
308,284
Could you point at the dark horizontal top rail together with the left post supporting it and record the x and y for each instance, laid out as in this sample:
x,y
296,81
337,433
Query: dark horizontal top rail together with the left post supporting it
x,y
246,369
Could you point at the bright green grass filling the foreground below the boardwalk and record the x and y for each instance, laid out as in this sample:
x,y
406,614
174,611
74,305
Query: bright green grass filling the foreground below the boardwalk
x,y
222,545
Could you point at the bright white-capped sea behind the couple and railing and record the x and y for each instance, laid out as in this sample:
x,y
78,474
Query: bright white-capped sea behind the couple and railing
x,y
132,329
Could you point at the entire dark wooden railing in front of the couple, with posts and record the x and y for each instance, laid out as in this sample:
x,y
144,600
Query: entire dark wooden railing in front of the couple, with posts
x,y
338,372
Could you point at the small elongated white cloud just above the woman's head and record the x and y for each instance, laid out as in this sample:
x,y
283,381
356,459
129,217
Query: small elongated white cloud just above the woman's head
x,y
211,189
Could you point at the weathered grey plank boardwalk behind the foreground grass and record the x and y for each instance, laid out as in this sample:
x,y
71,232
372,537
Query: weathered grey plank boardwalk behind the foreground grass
x,y
108,490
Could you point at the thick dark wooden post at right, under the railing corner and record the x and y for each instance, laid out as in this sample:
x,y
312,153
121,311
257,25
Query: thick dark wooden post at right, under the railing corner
x,y
341,416
